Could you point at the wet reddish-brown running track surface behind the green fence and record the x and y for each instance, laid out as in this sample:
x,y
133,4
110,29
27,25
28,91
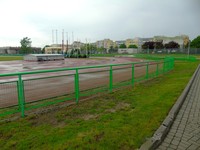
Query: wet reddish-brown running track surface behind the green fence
x,y
54,84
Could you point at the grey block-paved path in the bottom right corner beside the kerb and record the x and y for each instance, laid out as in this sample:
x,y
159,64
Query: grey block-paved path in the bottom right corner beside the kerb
x,y
185,131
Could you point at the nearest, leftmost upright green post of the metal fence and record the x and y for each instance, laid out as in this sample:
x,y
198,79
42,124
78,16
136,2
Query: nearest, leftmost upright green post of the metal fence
x,y
21,94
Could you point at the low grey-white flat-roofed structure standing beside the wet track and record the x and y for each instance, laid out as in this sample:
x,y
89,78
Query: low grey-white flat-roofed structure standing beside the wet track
x,y
43,57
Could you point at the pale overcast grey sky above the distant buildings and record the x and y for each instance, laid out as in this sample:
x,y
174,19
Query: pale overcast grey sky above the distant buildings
x,y
96,19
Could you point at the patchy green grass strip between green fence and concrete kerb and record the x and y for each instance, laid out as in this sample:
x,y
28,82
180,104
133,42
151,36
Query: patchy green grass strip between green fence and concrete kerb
x,y
119,120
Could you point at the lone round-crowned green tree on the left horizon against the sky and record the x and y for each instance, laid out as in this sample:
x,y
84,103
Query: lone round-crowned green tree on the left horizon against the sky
x,y
25,46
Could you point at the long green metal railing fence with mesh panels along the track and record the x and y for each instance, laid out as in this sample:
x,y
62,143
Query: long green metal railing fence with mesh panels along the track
x,y
23,91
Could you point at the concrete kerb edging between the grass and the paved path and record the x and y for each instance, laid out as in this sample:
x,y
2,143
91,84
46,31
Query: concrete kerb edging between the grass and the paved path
x,y
160,134
